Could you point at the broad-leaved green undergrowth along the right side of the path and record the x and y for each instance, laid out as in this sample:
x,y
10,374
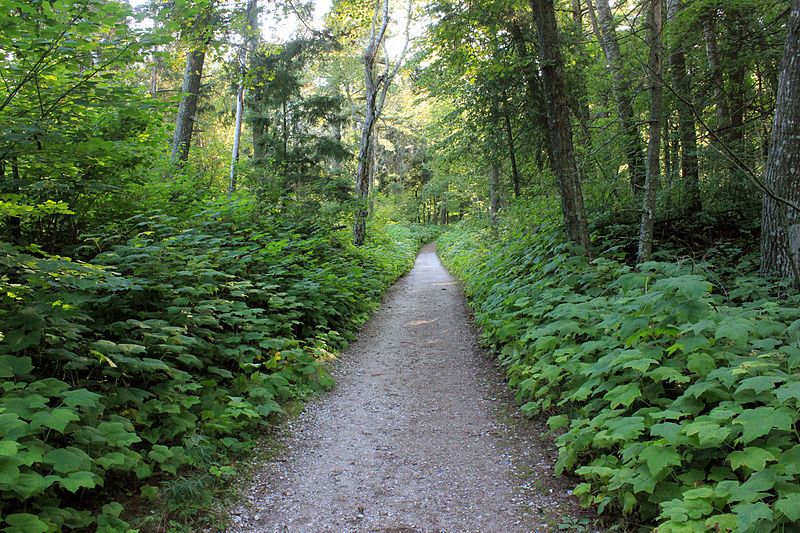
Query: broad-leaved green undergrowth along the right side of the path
x,y
676,399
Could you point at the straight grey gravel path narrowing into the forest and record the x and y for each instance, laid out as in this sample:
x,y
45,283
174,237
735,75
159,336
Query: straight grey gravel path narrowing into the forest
x,y
418,435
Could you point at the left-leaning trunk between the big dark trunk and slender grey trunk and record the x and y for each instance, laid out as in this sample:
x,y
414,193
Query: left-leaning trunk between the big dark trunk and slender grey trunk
x,y
622,95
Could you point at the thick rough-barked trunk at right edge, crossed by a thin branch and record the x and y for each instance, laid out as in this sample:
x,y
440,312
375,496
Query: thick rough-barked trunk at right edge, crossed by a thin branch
x,y
780,225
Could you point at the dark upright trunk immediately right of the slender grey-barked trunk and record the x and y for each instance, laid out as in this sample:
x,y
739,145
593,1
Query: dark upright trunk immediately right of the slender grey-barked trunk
x,y
690,173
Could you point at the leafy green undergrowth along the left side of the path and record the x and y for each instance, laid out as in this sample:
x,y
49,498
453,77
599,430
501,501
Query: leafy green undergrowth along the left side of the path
x,y
142,372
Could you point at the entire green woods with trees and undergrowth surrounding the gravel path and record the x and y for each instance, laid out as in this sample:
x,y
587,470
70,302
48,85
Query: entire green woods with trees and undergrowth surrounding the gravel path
x,y
202,201
